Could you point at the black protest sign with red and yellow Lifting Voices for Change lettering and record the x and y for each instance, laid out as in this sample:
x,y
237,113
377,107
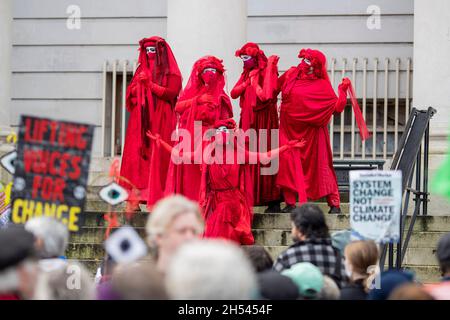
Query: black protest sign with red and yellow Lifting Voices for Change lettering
x,y
51,170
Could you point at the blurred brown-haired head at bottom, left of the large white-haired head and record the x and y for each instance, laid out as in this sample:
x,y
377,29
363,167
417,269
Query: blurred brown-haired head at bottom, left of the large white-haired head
x,y
138,281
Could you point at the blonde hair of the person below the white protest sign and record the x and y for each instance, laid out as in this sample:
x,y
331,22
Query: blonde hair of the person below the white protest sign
x,y
362,255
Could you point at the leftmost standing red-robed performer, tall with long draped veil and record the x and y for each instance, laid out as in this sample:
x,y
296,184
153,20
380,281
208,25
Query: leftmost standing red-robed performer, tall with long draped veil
x,y
151,98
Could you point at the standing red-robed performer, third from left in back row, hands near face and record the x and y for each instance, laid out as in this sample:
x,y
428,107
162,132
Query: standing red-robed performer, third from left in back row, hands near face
x,y
258,111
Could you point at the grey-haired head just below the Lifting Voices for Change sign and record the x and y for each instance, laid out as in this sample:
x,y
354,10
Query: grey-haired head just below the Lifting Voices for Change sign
x,y
52,236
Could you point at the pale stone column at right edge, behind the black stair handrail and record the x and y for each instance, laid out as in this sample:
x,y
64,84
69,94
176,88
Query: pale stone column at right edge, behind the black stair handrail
x,y
432,79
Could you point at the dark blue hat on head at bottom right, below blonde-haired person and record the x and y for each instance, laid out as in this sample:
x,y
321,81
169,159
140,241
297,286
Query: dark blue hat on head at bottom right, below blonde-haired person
x,y
389,281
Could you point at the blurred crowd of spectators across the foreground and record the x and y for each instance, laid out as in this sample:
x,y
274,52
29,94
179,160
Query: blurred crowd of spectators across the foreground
x,y
182,264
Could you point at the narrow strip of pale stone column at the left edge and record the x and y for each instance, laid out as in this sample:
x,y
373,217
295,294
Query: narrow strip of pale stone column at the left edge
x,y
5,65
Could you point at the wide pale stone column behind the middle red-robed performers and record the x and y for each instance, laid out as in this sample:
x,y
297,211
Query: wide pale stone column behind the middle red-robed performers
x,y
208,27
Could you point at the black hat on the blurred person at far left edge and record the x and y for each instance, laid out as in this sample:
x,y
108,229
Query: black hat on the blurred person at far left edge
x,y
17,244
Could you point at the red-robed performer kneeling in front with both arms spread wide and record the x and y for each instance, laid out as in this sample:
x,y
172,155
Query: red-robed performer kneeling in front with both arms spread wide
x,y
225,194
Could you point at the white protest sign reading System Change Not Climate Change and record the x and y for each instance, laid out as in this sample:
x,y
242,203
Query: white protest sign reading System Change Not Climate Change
x,y
375,204
